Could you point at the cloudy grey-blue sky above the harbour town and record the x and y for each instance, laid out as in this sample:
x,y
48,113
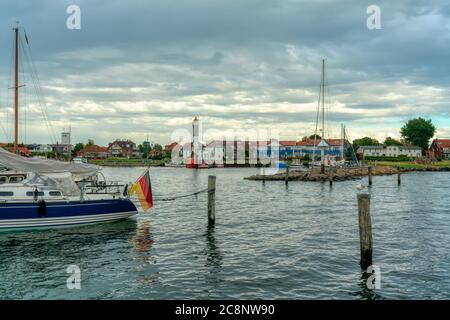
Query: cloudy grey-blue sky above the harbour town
x,y
138,68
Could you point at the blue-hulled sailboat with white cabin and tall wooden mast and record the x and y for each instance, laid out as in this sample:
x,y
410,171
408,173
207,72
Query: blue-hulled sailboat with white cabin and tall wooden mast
x,y
38,193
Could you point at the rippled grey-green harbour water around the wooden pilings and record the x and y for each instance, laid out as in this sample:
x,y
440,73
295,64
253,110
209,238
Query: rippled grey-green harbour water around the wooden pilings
x,y
269,242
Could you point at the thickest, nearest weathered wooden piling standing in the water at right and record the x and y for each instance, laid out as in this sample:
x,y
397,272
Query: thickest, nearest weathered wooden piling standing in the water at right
x,y
365,230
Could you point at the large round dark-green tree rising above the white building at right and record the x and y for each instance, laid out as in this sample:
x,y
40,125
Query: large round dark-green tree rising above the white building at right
x,y
419,132
